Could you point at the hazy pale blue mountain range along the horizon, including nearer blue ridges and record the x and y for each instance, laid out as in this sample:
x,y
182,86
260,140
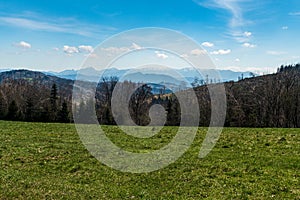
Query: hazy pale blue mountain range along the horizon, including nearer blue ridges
x,y
159,79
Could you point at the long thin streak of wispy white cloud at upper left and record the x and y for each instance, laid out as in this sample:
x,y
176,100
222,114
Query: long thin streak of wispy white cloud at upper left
x,y
41,23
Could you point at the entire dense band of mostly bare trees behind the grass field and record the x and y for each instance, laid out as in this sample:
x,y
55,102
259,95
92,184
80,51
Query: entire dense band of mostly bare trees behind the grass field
x,y
265,101
